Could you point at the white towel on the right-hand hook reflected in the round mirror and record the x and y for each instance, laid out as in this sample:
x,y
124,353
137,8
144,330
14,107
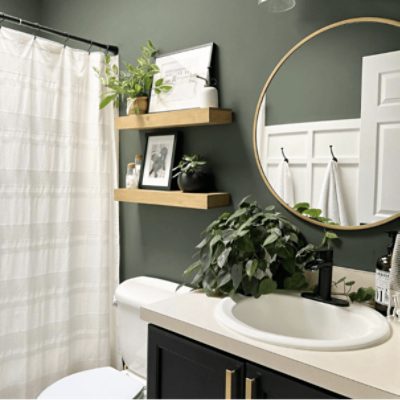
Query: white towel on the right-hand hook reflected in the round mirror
x,y
331,198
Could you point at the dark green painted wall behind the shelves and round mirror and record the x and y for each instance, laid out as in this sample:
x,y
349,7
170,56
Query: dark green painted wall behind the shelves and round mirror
x,y
159,241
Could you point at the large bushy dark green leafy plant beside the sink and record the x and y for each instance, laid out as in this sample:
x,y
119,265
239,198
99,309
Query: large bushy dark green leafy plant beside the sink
x,y
251,251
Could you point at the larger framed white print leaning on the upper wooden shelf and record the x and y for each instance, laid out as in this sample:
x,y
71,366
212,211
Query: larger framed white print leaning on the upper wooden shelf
x,y
182,69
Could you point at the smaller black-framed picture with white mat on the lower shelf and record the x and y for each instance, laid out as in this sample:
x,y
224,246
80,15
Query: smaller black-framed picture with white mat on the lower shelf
x,y
159,158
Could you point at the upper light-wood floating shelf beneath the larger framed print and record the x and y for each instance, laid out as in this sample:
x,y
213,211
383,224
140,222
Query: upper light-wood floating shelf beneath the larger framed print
x,y
175,119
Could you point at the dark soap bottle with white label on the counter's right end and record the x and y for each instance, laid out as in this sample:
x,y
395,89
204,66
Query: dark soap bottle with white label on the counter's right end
x,y
382,277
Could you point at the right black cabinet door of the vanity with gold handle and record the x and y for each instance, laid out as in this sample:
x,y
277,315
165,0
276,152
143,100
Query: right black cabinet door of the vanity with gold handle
x,y
270,384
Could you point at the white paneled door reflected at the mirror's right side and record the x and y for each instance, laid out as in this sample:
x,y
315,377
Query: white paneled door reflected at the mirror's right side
x,y
379,189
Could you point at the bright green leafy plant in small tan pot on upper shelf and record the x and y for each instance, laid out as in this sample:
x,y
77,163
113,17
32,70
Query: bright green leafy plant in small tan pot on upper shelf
x,y
134,83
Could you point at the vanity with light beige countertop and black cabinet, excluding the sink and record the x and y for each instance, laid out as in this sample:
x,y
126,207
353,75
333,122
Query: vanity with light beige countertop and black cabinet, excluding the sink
x,y
191,355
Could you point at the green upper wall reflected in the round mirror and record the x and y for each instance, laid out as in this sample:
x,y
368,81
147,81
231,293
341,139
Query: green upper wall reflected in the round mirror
x,y
327,71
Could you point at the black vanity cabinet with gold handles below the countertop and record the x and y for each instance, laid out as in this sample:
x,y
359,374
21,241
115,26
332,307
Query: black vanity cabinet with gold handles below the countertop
x,y
181,368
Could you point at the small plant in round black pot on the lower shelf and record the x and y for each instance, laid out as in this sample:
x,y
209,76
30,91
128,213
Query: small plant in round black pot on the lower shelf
x,y
193,176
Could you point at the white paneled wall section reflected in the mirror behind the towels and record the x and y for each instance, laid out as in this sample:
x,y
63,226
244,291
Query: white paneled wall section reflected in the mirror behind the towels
x,y
306,145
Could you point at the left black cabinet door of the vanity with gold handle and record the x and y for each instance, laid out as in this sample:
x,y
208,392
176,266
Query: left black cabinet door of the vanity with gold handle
x,y
181,368
